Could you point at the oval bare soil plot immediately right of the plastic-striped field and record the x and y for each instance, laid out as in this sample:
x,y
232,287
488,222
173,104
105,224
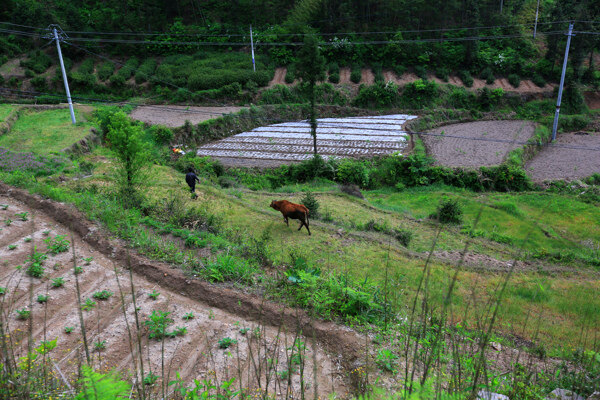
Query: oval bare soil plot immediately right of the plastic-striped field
x,y
475,144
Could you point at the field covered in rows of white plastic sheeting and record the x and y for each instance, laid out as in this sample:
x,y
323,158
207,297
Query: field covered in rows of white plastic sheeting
x,y
357,137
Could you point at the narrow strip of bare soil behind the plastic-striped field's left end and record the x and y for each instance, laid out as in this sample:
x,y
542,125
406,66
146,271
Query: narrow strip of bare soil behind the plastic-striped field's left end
x,y
175,116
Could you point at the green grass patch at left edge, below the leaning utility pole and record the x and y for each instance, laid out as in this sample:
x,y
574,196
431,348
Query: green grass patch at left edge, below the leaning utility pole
x,y
45,132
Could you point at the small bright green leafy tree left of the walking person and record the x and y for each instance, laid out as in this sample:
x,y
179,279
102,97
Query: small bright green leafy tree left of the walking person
x,y
125,140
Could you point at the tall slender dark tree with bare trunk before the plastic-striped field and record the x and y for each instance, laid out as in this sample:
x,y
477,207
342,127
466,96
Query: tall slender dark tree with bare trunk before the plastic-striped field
x,y
310,69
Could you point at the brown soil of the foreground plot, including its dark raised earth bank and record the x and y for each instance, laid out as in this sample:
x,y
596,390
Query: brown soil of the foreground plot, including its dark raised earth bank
x,y
219,312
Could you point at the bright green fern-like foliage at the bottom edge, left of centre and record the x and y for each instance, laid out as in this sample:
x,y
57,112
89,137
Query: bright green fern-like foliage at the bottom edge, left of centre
x,y
97,386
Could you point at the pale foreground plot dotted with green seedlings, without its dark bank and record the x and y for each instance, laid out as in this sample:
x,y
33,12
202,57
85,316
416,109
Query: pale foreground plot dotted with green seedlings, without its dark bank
x,y
258,358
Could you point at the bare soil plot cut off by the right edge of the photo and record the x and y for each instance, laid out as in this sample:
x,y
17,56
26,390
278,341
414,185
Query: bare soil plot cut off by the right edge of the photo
x,y
579,158
